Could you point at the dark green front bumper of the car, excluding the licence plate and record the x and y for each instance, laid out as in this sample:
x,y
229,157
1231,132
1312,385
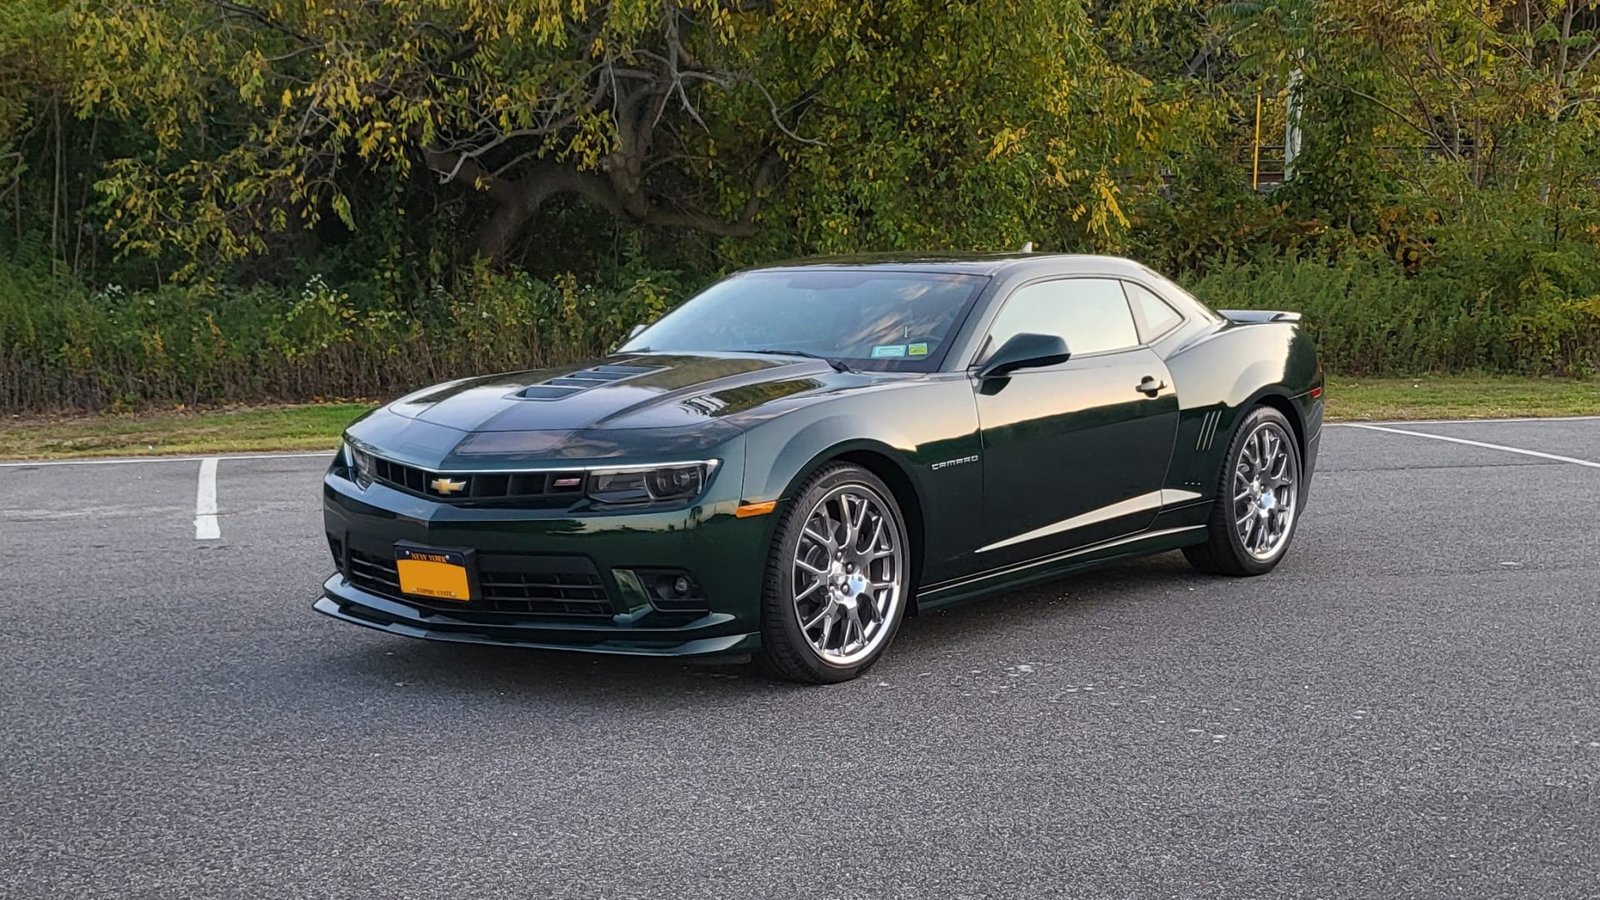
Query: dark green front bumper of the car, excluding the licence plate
x,y
721,553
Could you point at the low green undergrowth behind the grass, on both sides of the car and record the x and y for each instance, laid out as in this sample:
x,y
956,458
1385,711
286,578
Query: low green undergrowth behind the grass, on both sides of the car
x,y
65,347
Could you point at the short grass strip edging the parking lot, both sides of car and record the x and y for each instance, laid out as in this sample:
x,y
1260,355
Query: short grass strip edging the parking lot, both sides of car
x,y
318,427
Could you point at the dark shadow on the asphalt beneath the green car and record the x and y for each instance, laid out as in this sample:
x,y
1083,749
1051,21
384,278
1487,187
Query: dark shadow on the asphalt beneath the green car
x,y
1066,605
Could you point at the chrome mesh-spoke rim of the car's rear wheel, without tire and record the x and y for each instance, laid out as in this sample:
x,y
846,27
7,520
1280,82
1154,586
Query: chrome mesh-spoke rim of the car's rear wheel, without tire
x,y
1266,491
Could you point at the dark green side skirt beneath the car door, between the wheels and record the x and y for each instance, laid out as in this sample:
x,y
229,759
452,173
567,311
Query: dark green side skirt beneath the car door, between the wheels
x,y
1174,529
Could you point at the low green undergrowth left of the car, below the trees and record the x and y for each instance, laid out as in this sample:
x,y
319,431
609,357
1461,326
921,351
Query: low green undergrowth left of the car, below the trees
x,y
68,348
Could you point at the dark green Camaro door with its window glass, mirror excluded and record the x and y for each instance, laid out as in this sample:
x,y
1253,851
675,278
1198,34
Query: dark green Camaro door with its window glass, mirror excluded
x,y
1073,454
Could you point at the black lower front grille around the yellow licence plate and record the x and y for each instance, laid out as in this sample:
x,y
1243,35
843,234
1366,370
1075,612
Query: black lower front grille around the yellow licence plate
x,y
508,584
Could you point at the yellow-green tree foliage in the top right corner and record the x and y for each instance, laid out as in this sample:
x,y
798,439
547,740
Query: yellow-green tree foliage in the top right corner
x,y
1495,90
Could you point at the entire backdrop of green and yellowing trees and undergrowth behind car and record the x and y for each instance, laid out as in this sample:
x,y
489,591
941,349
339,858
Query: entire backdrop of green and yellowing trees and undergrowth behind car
x,y
206,201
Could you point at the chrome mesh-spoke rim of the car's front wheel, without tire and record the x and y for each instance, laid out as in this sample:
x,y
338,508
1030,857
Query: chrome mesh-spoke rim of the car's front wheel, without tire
x,y
849,574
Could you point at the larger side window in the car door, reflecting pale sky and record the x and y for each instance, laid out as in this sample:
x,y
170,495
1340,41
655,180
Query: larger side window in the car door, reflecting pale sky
x,y
1090,315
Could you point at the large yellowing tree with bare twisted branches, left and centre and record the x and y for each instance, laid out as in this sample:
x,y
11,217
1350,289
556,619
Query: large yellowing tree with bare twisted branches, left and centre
x,y
863,118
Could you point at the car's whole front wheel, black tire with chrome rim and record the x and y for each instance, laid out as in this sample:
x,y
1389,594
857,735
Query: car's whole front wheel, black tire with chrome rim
x,y
838,579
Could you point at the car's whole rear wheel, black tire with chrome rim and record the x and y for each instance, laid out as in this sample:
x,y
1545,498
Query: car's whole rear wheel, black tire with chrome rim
x,y
1258,500
